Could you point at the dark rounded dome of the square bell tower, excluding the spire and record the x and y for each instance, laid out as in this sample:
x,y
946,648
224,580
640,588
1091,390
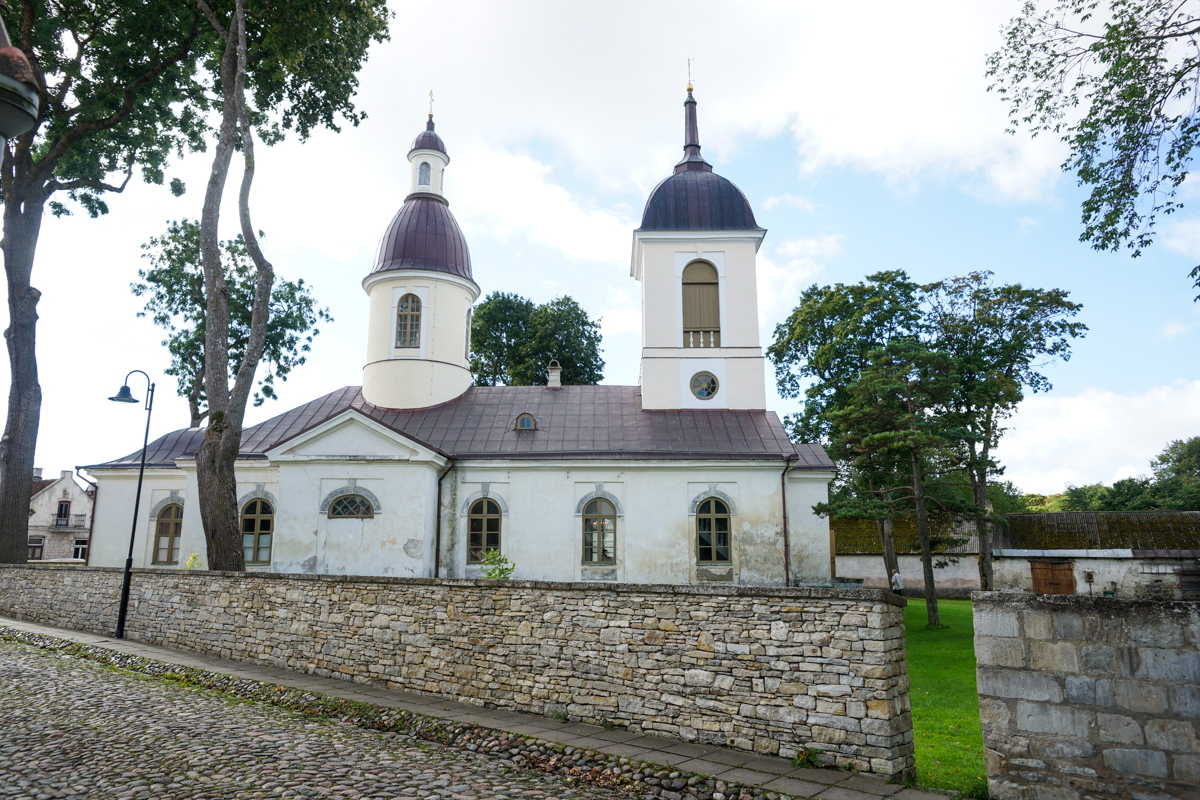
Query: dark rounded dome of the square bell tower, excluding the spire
x,y
698,201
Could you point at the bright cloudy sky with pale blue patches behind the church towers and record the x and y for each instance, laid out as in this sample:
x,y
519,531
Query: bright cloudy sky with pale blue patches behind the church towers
x,y
863,136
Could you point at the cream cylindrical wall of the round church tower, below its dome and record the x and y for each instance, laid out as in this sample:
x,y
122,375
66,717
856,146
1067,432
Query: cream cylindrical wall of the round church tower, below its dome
x,y
436,372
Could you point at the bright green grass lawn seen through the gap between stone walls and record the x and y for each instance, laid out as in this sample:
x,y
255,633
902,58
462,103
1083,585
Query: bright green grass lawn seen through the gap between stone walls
x,y
945,703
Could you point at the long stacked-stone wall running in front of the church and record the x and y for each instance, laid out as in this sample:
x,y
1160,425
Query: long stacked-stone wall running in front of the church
x,y
767,670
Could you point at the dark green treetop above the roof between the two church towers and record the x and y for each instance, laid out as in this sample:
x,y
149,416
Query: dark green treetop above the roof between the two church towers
x,y
514,341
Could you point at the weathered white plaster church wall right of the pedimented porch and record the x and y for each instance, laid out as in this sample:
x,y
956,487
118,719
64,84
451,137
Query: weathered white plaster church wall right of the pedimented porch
x,y
656,532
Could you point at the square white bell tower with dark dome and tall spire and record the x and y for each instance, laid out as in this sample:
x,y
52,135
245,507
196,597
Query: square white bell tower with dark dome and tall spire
x,y
695,257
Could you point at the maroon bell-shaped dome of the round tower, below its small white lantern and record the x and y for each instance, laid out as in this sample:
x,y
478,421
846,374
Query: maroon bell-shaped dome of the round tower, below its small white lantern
x,y
424,236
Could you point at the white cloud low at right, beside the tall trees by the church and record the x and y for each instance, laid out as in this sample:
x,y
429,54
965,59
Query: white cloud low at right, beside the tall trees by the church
x,y
1095,436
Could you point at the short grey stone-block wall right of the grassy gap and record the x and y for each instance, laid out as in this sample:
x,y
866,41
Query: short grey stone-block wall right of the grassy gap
x,y
1089,697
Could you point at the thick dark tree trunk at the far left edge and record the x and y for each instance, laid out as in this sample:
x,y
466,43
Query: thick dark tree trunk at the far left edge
x,y
22,225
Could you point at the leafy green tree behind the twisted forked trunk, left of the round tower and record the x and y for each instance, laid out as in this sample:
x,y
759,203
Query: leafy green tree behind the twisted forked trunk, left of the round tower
x,y
175,292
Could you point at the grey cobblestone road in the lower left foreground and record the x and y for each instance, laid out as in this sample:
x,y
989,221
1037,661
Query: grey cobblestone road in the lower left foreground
x,y
73,729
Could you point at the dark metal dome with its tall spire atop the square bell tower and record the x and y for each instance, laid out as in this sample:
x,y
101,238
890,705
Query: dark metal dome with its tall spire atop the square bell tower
x,y
697,199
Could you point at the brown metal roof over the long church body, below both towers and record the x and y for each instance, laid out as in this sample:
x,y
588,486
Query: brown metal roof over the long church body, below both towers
x,y
574,423
